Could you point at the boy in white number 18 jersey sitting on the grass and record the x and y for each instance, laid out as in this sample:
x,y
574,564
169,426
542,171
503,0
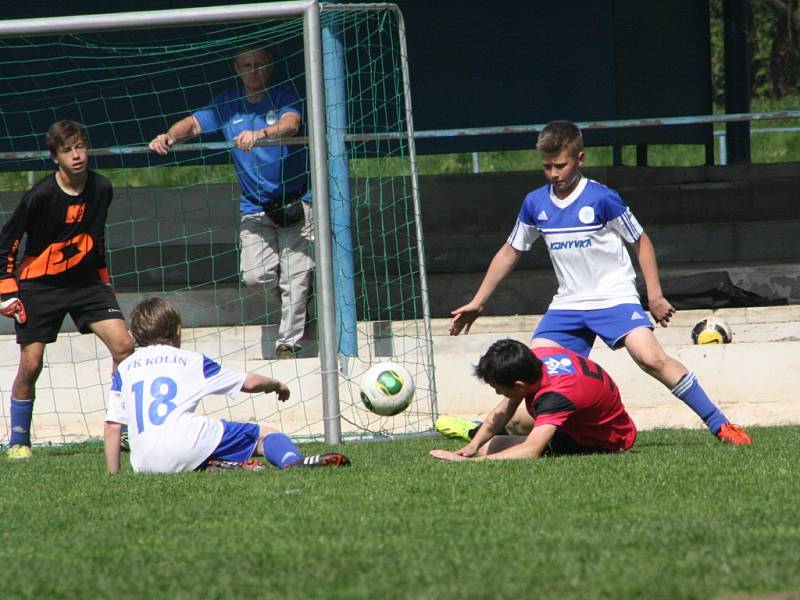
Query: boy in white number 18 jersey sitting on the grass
x,y
156,390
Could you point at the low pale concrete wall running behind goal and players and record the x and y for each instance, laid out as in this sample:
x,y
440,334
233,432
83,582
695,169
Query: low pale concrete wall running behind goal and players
x,y
754,379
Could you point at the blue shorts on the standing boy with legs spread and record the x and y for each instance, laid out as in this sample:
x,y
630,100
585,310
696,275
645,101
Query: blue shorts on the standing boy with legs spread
x,y
576,330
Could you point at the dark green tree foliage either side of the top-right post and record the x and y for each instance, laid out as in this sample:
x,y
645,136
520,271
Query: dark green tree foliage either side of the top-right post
x,y
774,46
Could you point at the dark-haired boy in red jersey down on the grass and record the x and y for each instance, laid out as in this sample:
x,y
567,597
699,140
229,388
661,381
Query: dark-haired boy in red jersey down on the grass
x,y
575,406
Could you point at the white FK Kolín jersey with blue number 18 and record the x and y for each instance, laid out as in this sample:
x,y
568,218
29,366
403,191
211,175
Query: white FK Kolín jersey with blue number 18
x,y
155,392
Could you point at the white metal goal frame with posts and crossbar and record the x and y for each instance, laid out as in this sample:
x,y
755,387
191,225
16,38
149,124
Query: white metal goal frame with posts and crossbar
x,y
309,11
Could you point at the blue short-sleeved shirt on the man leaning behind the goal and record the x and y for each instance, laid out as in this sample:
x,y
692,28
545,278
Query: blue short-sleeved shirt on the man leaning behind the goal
x,y
265,173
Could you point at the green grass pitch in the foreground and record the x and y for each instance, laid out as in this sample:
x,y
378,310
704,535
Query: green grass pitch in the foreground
x,y
679,516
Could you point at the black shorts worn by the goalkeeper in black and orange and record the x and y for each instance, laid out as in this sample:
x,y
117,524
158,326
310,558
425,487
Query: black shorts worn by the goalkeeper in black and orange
x,y
46,307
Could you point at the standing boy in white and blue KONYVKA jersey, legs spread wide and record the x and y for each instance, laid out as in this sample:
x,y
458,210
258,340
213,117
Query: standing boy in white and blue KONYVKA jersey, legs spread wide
x,y
585,226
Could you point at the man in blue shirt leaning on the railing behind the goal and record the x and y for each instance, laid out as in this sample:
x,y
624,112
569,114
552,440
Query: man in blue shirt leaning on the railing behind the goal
x,y
275,232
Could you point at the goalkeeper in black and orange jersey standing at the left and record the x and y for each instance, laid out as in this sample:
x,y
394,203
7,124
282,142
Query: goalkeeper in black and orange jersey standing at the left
x,y
62,270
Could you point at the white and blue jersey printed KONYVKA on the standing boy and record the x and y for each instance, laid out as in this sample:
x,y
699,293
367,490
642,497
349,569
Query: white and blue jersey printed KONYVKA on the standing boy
x,y
585,235
